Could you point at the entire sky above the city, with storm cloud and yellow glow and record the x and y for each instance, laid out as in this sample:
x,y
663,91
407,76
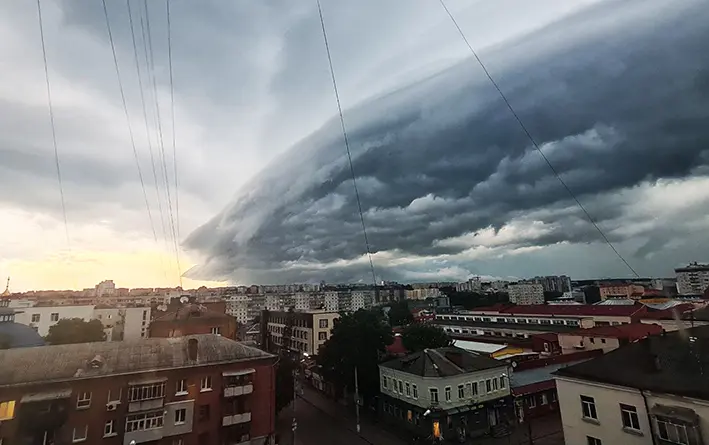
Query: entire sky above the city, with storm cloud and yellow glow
x,y
613,92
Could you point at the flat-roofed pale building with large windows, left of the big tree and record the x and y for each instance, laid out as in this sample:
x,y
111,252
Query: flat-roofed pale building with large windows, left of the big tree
x,y
309,330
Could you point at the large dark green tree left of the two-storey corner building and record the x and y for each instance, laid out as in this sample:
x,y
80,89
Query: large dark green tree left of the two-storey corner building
x,y
357,340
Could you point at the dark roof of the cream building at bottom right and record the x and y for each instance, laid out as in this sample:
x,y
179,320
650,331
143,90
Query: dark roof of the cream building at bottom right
x,y
674,363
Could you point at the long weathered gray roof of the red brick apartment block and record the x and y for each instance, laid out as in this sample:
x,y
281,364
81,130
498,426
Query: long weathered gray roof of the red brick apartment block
x,y
71,362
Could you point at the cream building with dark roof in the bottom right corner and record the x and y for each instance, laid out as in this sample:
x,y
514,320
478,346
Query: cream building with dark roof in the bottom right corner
x,y
652,392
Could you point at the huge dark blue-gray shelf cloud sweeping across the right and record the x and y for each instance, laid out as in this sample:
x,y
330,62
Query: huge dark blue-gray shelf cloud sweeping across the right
x,y
616,96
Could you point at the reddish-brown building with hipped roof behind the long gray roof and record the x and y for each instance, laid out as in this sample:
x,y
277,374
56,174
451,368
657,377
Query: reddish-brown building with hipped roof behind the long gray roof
x,y
193,319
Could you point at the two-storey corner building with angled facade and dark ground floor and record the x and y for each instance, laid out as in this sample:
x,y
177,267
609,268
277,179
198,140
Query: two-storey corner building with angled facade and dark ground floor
x,y
445,392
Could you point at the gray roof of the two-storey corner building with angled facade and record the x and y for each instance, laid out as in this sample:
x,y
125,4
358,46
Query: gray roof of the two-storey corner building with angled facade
x,y
443,362
